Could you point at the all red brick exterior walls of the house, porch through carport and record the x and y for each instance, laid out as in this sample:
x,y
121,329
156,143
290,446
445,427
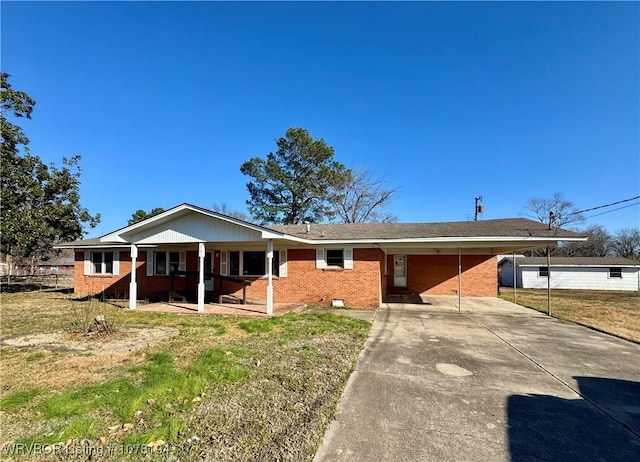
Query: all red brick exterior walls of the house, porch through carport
x,y
364,285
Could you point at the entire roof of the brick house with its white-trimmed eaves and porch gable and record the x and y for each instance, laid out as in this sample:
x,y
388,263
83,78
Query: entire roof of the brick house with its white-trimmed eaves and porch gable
x,y
505,234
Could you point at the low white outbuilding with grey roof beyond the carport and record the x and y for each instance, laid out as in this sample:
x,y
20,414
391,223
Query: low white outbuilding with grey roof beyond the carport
x,y
595,273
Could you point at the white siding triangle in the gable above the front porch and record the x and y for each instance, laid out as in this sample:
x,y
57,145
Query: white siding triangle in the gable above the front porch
x,y
196,228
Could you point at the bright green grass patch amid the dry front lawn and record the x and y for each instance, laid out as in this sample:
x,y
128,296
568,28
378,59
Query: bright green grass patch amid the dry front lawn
x,y
156,390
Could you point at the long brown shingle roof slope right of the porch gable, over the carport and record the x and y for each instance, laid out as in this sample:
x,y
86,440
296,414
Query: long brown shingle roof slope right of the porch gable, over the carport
x,y
509,227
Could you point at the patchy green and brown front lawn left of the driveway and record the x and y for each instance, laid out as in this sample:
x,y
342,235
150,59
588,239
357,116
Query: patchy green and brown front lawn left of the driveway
x,y
223,388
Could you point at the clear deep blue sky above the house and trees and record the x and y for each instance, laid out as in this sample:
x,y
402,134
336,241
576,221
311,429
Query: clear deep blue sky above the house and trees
x,y
447,101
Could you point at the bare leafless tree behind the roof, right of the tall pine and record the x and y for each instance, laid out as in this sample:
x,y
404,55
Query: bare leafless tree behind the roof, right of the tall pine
x,y
363,199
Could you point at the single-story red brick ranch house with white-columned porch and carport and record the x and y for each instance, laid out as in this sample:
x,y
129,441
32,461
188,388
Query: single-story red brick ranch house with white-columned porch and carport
x,y
204,256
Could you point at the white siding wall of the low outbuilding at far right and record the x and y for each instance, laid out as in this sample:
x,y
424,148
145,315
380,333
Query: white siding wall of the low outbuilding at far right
x,y
594,278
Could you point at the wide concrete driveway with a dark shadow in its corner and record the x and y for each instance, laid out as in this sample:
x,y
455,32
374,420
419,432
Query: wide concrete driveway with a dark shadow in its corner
x,y
494,382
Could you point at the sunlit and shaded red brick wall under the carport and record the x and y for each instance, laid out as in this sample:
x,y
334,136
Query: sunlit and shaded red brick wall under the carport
x,y
438,274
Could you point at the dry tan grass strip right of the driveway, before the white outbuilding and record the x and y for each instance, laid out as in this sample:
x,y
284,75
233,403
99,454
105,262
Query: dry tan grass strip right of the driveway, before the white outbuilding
x,y
615,312
